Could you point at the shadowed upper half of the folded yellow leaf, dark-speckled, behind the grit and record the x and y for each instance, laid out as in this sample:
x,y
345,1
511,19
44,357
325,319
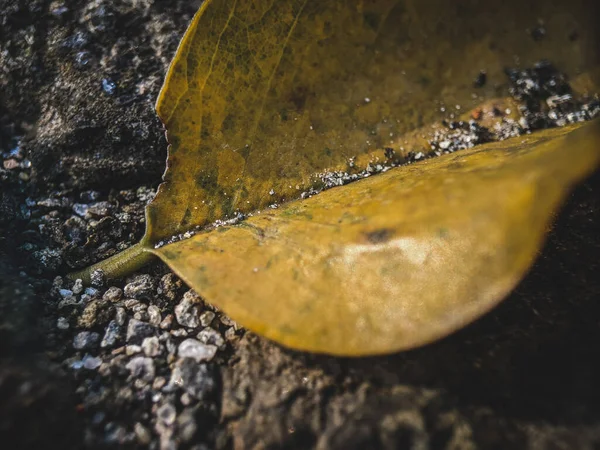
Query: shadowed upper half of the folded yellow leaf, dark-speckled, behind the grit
x,y
262,95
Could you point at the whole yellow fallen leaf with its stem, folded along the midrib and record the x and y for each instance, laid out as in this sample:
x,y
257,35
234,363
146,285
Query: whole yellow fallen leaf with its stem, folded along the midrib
x,y
263,96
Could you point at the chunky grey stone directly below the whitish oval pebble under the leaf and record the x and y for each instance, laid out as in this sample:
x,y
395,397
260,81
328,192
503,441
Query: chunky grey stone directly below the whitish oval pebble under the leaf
x,y
198,380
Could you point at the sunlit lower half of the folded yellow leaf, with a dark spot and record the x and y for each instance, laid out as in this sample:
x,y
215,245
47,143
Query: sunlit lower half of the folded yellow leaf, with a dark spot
x,y
393,261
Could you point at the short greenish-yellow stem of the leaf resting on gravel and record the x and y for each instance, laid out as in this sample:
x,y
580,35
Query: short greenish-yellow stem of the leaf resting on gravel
x,y
119,265
